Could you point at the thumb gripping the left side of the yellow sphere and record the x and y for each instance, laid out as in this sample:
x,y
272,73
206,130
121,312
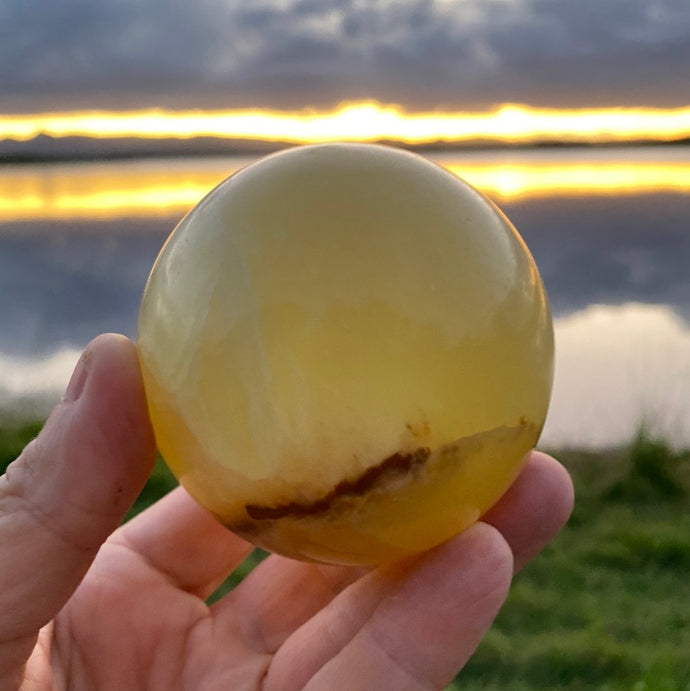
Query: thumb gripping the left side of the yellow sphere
x,y
69,490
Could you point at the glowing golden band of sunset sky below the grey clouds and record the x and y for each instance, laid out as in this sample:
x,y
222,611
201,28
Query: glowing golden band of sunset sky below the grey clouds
x,y
368,121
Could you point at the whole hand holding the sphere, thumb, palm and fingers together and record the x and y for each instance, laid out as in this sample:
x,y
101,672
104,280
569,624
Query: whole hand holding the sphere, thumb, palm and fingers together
x,y
86,604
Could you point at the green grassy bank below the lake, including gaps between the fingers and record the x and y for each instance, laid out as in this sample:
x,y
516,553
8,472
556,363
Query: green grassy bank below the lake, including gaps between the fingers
x,y
606,606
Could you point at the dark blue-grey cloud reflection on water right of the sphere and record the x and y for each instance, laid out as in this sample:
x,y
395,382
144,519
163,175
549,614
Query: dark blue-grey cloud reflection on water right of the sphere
x,y
613,250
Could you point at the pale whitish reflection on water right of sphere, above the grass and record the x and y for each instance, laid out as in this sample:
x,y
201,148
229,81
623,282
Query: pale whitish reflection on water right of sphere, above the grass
x,y
617,368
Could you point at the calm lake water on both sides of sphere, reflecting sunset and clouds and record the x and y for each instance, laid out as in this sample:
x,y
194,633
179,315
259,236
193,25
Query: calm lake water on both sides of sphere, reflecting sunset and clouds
x,y
609,229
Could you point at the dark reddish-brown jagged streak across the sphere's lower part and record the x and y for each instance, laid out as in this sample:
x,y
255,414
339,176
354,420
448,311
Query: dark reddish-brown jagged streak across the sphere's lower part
x,y
397,464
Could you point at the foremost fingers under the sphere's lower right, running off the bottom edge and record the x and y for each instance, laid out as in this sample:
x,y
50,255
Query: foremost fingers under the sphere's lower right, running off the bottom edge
x,y
410,625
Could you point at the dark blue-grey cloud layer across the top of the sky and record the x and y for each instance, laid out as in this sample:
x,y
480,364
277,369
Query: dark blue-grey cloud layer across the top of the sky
x,y
291,53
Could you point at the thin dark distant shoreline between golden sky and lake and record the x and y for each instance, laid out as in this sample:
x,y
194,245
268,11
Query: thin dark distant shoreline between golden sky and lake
x,y
44,149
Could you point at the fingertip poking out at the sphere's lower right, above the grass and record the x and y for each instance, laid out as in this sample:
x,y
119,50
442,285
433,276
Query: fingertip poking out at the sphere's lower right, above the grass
x,y
535,508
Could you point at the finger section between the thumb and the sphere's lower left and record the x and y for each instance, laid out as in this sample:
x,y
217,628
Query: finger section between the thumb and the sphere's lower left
x,y
180,539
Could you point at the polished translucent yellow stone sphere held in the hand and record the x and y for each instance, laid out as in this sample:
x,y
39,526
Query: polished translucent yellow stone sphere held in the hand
x,y
347,353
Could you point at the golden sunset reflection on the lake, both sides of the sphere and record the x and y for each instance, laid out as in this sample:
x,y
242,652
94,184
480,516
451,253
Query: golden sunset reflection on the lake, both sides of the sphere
x,y
162,188
